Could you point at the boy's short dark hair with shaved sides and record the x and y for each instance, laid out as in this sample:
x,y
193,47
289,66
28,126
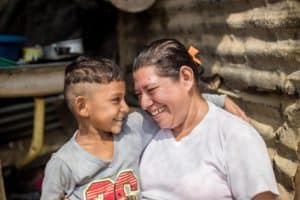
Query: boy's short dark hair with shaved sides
x,y
89,70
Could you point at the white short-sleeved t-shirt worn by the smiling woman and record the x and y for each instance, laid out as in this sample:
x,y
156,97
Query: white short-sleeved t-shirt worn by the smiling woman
x,y
222,158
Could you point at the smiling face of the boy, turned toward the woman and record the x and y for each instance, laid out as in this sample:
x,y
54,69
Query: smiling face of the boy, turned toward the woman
x,y
107,107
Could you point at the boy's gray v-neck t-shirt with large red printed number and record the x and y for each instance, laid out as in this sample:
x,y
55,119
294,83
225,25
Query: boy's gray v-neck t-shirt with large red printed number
x,y
84,176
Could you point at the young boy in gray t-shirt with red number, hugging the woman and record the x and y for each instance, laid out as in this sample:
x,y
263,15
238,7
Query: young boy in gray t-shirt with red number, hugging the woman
x,y
101,160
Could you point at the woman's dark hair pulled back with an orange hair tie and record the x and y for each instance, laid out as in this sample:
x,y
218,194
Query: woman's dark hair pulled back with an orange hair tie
x,y
167,56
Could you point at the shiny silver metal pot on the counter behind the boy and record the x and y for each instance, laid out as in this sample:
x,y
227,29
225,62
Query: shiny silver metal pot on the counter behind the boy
x,y
63,49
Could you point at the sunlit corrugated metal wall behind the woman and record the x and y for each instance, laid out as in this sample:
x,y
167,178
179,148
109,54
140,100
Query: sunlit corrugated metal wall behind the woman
x,y
254,49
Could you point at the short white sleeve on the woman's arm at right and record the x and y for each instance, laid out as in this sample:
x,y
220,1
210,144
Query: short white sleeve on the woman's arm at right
x,y
249,167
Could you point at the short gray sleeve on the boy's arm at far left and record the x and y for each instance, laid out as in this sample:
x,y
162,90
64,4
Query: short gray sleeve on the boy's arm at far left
x,y
57,180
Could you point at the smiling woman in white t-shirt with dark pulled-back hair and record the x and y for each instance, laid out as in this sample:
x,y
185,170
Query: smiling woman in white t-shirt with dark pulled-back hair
x,y
201,151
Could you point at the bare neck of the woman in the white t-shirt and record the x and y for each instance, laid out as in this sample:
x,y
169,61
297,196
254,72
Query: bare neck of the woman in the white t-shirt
x,y
197,109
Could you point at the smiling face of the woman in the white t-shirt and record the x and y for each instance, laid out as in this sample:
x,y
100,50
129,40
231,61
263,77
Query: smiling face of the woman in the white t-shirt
x,y
164,98
